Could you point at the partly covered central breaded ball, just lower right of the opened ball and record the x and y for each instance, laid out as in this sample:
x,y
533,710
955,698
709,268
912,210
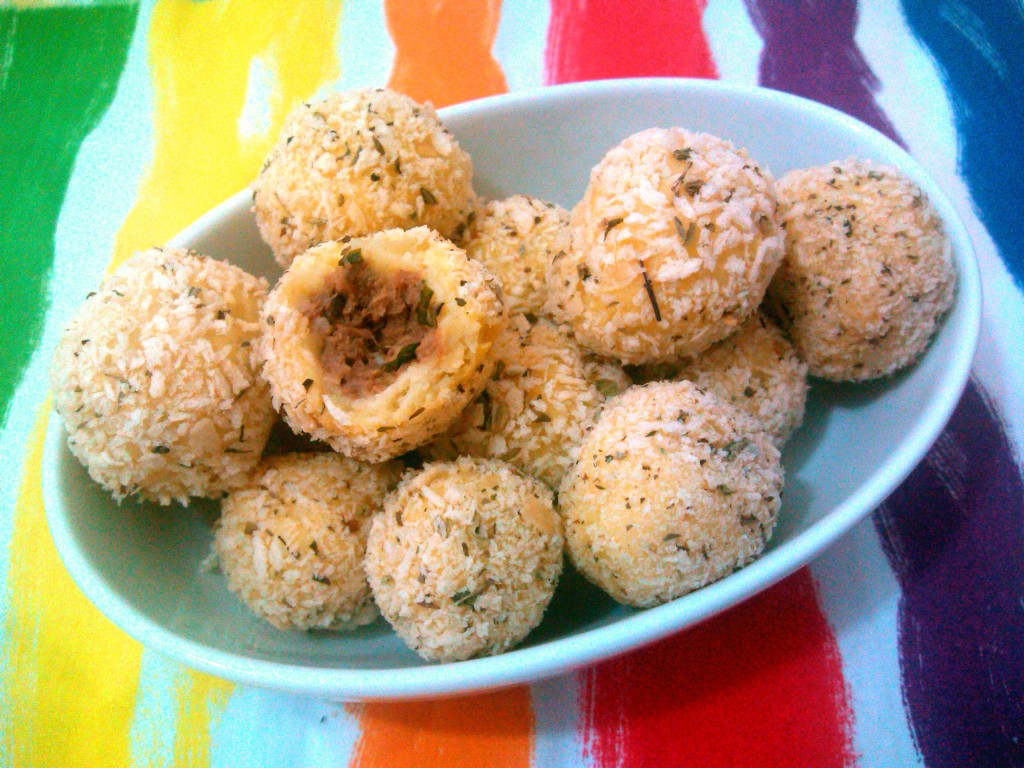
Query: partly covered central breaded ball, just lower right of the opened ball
x,y
535,409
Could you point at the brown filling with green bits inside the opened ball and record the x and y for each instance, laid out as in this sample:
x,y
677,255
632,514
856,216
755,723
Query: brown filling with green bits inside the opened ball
x,y
373,327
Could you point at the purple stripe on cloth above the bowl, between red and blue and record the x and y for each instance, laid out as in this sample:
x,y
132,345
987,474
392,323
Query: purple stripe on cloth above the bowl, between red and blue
x,y
809,51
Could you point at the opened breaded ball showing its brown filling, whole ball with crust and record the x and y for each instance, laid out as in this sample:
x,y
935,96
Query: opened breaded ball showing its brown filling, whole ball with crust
x,y
375,346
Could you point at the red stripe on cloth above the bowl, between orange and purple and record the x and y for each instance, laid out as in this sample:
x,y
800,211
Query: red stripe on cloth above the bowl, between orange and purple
x,y
612,39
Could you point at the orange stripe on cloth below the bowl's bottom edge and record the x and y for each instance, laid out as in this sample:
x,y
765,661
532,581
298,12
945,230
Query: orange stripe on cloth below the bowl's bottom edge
x,y
490,730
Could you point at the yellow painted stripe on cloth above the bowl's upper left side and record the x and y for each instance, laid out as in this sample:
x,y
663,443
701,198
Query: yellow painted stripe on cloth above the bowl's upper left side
x,y
205,57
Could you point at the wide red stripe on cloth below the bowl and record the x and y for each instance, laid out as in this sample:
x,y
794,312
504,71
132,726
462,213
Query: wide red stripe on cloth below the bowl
x,y
760,686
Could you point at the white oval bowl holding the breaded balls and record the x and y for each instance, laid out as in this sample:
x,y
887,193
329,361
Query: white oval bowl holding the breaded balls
x,y
141,565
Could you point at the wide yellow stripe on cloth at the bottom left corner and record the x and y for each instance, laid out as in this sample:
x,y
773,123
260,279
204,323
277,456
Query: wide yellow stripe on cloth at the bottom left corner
x,y
72,674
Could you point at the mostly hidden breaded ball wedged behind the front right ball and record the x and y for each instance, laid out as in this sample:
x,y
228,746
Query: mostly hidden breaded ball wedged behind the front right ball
x,y
757,370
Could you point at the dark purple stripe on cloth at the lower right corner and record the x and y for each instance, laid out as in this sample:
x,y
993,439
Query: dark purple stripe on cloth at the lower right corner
x,y
954,533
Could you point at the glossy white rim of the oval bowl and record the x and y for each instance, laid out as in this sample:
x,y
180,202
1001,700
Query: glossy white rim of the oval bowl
x,y
569,654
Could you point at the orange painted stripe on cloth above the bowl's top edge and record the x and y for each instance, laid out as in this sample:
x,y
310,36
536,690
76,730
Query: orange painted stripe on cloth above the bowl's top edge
x,y
443,50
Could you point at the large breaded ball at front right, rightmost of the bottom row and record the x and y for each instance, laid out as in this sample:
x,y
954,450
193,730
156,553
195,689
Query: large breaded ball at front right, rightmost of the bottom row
x,y
673,489
